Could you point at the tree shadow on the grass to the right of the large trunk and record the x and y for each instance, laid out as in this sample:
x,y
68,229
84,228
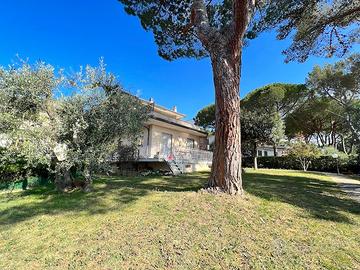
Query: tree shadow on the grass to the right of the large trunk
x,y
321,199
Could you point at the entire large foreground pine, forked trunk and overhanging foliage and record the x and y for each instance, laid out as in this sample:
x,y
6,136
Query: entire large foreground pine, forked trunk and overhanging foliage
x,y
193,28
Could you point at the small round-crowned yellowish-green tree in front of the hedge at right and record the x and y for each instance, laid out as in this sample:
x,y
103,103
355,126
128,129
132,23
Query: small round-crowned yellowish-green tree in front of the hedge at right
x,y
304,153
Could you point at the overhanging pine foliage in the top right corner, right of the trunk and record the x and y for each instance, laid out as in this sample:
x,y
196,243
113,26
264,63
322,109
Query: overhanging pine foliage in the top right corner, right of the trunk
x,y
323,28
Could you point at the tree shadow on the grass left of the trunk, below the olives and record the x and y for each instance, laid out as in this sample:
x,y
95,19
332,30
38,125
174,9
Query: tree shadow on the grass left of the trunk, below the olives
x,y
121,191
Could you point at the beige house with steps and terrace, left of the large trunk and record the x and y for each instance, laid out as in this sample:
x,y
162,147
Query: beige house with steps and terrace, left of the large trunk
x,y
170,142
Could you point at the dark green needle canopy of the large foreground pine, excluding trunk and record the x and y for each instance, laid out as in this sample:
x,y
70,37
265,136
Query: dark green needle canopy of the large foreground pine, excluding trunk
x,y
320,27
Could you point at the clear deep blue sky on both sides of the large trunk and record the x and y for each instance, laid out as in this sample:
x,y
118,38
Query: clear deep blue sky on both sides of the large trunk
x,y
70,33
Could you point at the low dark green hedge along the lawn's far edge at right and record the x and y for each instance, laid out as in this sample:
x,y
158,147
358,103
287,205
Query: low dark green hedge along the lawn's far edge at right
x,y
322,164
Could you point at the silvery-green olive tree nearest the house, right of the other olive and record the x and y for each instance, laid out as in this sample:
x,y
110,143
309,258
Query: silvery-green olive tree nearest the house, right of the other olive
x,y
93,122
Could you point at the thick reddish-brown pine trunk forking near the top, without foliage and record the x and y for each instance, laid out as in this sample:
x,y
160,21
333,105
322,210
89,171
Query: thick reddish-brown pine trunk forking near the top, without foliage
x,y
225,50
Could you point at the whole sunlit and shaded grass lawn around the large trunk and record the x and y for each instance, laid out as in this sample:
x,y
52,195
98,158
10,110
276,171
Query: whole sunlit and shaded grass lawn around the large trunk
x,y
287,220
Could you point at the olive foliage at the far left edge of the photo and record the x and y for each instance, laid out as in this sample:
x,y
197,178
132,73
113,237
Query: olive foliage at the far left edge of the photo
x,y
27,114
